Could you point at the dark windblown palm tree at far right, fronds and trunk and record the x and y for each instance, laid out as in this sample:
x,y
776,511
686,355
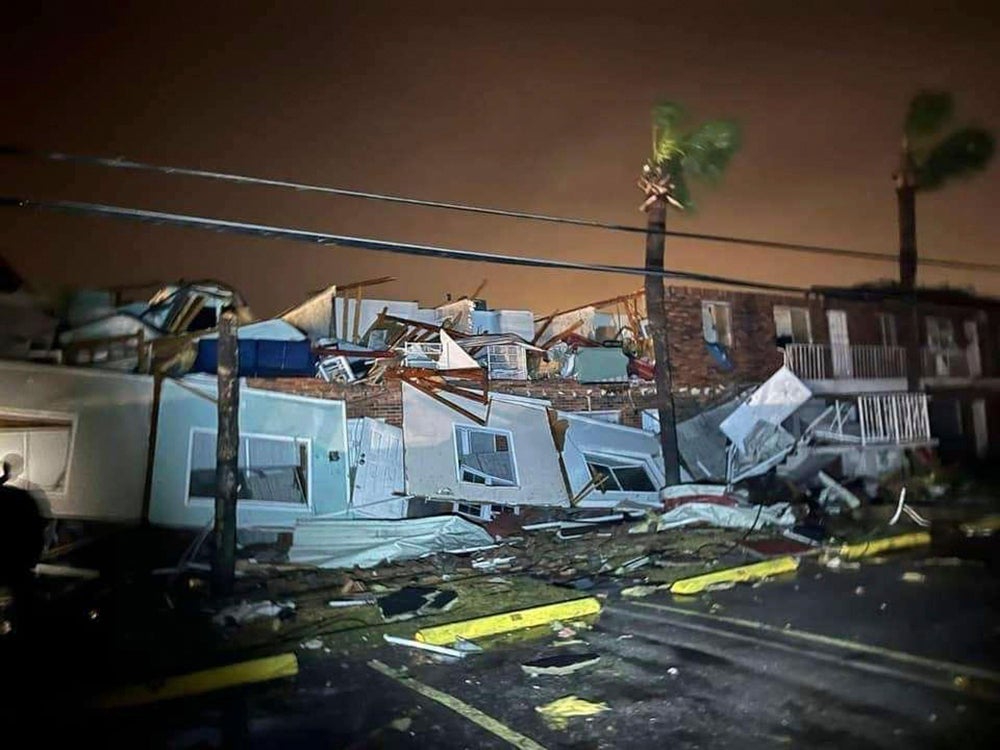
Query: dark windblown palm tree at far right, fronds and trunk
x,y
926,164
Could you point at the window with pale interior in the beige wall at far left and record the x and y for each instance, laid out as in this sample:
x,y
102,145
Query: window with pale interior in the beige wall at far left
x,y
35,450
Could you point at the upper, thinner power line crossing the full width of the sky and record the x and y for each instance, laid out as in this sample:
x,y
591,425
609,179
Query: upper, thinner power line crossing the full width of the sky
x,y
121,163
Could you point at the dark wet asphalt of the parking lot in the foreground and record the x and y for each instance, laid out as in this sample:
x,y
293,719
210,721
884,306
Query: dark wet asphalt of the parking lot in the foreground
x,y
765,666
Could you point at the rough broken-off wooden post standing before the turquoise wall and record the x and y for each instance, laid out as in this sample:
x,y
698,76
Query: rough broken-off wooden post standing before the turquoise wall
x,y
226,456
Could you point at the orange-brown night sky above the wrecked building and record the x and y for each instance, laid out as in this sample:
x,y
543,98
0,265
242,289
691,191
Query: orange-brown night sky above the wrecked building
x,y
498,104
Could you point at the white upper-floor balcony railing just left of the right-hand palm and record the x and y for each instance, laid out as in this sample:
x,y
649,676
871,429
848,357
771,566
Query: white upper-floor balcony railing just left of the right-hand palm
x,y
816,362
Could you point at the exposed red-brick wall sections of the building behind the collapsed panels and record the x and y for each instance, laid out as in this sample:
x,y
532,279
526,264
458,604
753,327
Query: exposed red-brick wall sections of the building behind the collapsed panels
x,y
844,343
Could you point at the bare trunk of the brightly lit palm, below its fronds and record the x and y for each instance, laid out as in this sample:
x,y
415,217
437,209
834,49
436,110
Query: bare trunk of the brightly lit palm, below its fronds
x,y
657,316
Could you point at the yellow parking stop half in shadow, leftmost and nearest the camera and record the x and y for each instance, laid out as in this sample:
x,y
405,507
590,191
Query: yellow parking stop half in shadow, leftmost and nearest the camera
x,y
205,681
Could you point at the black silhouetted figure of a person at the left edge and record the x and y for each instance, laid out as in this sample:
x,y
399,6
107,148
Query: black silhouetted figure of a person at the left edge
x,y
22,539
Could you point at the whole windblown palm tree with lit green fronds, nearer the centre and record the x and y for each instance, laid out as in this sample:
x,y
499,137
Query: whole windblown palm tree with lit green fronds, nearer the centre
x,y
677,154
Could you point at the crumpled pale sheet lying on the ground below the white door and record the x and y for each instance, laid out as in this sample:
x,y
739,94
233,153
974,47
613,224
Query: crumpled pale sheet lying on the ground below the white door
x,y
364,543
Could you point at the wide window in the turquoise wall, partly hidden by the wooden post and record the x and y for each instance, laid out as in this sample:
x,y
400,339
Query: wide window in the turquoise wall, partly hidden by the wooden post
x,y
270,468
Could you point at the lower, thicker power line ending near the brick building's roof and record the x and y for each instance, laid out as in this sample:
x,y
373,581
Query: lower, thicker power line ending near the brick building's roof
x,y
364,243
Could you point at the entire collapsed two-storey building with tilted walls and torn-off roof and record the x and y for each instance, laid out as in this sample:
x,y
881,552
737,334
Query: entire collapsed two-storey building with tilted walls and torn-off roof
x,y
356,407
